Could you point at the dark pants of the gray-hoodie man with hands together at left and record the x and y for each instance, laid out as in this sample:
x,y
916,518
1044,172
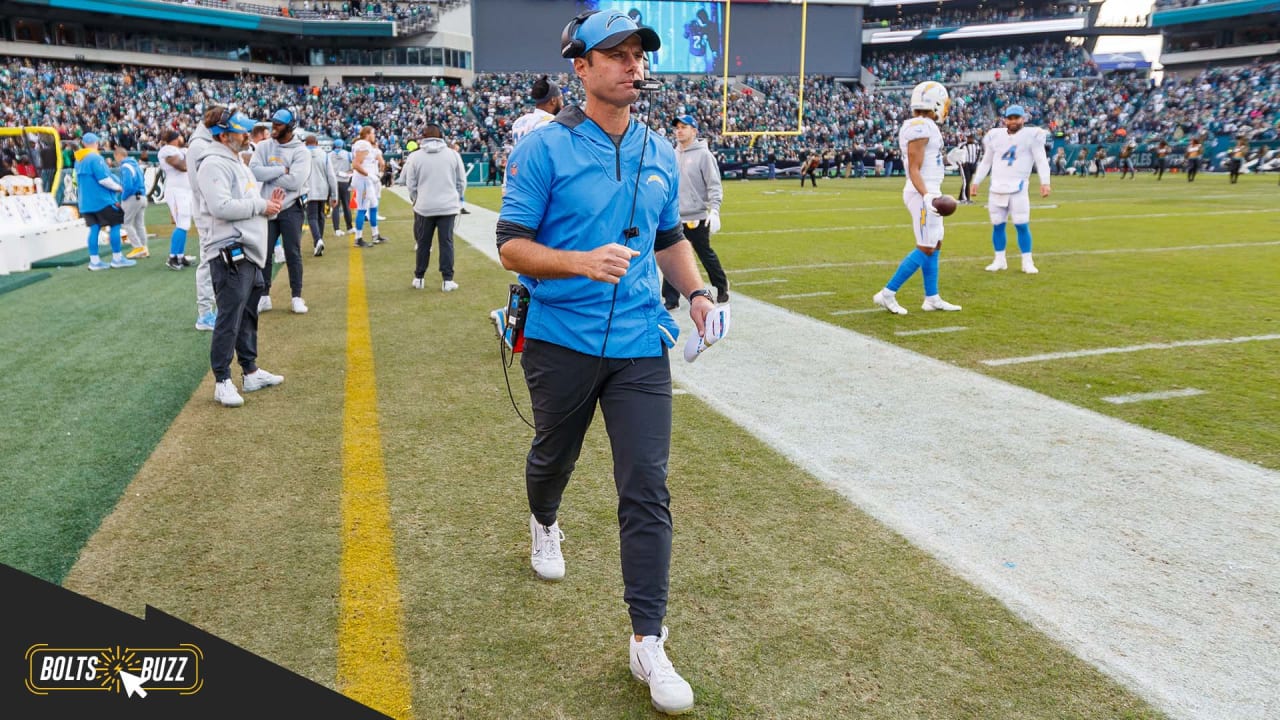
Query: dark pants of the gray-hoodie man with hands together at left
x,y
236,329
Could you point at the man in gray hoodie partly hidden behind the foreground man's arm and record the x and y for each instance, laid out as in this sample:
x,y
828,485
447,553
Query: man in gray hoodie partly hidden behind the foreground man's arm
x,y
700,207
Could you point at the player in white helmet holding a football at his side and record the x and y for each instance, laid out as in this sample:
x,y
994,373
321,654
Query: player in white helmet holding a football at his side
x,y
922,148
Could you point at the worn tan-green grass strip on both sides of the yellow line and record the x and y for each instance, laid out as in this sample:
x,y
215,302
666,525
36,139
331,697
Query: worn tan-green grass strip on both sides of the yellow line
x,y
787,601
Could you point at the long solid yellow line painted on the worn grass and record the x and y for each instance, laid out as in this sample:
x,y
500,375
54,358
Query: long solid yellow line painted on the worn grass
x,y
373,667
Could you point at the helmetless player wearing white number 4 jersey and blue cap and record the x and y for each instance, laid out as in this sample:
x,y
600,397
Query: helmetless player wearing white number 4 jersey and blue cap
x,y
1008,156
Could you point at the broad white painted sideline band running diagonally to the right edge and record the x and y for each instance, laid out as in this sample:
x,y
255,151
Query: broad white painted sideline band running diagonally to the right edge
x,y
1155,560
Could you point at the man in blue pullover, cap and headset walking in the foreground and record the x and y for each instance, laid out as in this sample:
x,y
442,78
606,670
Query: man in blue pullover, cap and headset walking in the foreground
x,y
592,213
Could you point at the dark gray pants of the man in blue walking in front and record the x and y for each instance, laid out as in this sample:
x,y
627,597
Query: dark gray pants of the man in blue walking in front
x,y
636,399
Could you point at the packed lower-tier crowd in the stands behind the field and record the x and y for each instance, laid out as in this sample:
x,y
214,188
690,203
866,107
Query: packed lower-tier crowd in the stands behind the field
x,y
838,119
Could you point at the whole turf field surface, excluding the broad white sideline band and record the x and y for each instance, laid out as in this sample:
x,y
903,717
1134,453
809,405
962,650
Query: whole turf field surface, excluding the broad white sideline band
x,y
125,482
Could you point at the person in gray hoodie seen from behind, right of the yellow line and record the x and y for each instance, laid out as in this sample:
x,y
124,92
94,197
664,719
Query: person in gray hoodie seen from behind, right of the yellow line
x,y
436,181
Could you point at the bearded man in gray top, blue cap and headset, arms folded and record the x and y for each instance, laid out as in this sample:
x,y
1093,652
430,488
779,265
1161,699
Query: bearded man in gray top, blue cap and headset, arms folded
x,y
284,162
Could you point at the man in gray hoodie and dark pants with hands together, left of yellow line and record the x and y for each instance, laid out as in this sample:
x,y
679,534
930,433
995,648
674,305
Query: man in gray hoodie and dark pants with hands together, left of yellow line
x,y
236,247
